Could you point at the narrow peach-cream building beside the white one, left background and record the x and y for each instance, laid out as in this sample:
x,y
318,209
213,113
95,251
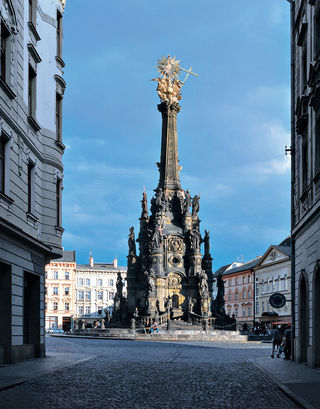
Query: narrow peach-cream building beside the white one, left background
x,y
60,292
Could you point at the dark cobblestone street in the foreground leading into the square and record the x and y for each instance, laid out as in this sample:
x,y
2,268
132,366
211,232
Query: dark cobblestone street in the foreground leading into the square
x,y
133,374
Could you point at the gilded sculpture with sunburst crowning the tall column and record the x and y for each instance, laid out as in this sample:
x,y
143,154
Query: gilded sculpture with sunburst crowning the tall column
x,y
169,84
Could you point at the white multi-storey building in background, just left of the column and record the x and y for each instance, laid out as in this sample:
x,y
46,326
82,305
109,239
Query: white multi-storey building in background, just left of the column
x,y
96,288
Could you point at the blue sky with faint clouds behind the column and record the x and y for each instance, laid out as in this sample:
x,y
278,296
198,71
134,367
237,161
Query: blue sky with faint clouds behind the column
x,y
232,128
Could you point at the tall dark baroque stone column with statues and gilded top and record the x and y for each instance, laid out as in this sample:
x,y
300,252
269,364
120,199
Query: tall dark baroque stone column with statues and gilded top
x,y
168,273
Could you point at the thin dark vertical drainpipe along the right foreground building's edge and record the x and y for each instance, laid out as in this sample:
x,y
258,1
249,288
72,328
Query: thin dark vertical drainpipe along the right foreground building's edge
x,y
293,280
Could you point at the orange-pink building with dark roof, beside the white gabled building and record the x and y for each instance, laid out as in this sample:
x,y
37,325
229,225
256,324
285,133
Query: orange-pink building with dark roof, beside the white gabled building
x,y
239,291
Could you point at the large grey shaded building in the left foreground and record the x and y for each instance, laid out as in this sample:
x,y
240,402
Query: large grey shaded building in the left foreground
x,y
31,148
